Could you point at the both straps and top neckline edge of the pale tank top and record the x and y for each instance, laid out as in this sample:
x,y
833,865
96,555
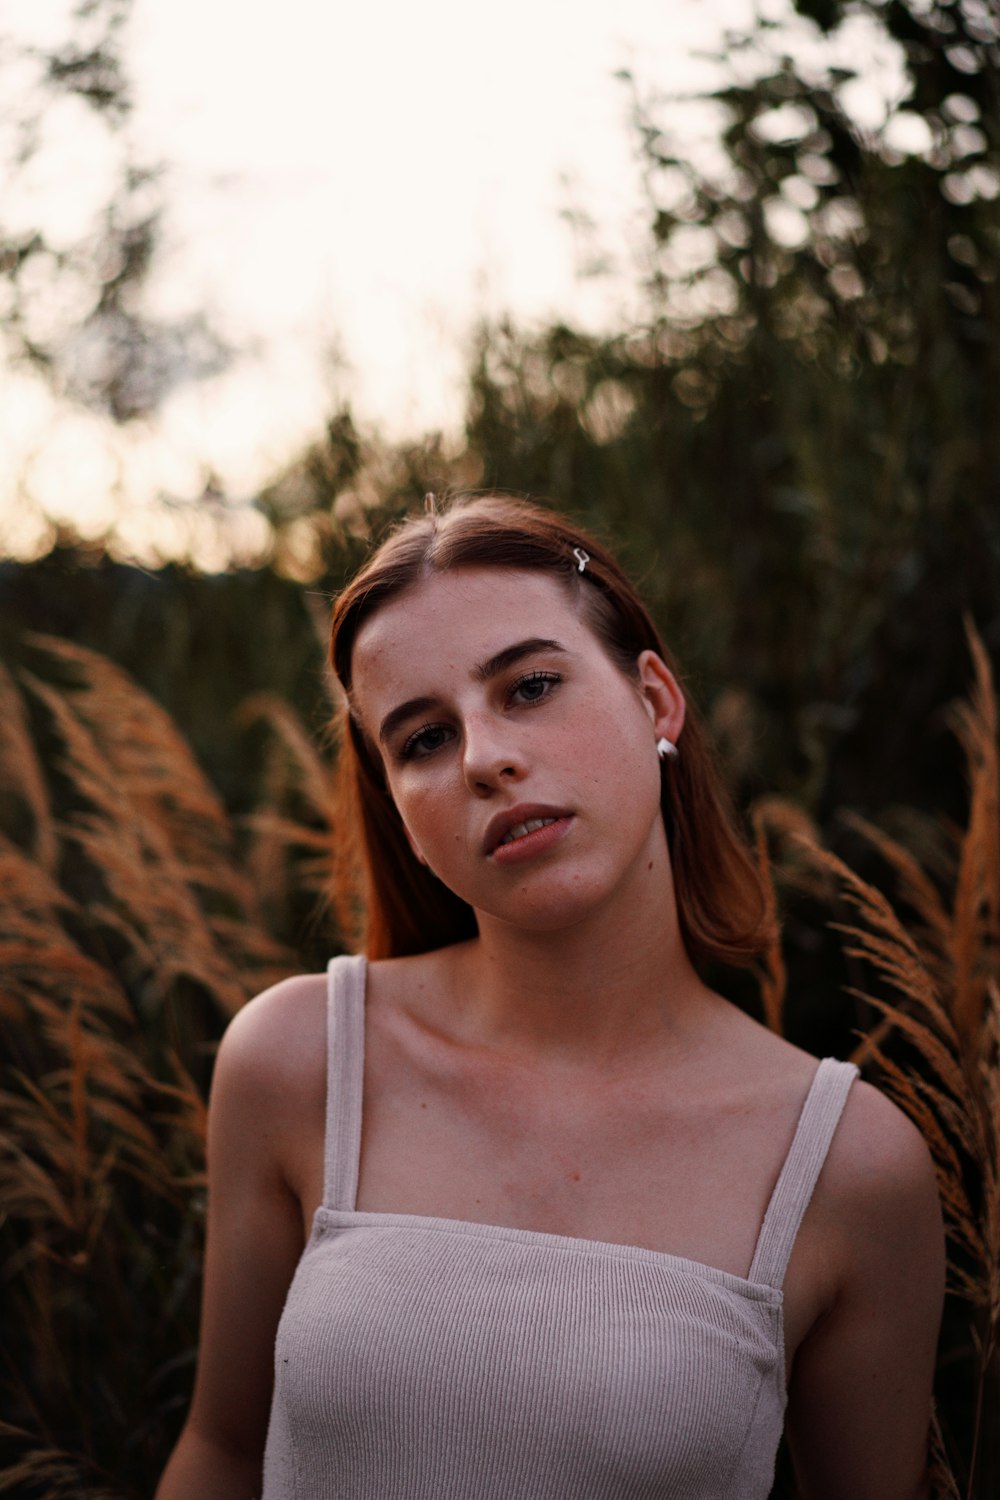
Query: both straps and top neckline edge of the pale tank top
x,y
786,1208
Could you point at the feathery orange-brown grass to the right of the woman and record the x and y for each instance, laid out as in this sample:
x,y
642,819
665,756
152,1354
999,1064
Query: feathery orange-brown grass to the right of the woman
x,y
933,965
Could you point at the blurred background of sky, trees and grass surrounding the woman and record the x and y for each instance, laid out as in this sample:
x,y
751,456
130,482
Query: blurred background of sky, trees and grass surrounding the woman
x,y
722,281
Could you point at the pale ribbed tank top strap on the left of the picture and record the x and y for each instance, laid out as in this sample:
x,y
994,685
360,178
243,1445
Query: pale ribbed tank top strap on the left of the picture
x,y
346,1079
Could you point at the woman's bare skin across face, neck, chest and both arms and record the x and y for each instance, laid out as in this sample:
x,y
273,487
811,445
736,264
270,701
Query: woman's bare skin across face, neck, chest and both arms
x,y
566,1070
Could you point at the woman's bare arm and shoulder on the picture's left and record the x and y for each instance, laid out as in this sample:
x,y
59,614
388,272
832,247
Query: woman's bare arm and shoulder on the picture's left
x,y
260,1097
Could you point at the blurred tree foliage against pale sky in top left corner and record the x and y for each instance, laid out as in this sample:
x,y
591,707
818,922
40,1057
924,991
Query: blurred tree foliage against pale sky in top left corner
x,y
73,292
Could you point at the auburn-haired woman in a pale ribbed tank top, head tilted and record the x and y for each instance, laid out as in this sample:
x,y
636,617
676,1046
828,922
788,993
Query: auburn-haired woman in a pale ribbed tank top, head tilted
x,y
597,1222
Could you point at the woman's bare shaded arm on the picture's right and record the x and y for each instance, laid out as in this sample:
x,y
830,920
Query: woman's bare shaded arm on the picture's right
x,y
860,1399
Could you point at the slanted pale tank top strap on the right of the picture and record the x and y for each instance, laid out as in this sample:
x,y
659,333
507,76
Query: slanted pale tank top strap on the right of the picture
x,y
821,1115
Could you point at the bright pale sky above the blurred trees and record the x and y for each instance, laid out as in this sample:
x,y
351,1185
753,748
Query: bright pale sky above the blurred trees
x,y
347,191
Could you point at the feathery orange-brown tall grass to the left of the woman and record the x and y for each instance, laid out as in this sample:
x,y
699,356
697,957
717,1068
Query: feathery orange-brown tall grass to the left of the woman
x,y
131,929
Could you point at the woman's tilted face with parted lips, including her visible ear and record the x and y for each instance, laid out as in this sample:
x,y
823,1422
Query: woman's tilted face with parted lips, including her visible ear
x,y
521,758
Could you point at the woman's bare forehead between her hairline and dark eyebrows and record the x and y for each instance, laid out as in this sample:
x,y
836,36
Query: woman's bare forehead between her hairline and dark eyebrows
x,y
458,619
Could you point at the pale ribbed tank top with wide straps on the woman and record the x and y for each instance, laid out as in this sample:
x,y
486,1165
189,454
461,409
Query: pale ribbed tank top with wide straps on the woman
x,y
437,1360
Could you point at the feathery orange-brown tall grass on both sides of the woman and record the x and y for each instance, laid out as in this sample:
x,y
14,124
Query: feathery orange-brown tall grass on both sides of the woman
x,y
137,916
